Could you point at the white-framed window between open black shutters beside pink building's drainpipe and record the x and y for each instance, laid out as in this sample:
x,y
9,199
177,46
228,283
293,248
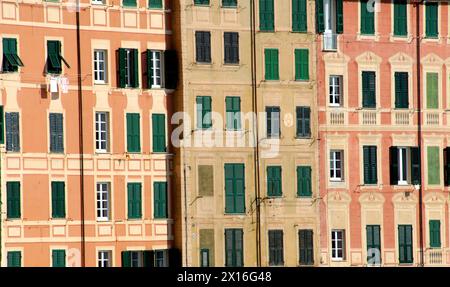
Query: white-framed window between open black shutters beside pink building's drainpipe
x,y
404,165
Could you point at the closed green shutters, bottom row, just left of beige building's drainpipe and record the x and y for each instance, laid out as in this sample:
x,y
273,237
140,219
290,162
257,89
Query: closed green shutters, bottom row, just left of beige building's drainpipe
x,y
234,248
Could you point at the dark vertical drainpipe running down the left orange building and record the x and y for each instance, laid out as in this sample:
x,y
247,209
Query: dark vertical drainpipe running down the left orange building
x,y
80,137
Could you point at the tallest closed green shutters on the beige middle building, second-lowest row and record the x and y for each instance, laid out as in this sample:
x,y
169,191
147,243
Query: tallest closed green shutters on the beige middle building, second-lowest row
x,y
234,188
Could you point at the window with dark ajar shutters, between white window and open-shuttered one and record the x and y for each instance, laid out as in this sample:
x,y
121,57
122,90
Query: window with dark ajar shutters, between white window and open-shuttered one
x,y
128,72
